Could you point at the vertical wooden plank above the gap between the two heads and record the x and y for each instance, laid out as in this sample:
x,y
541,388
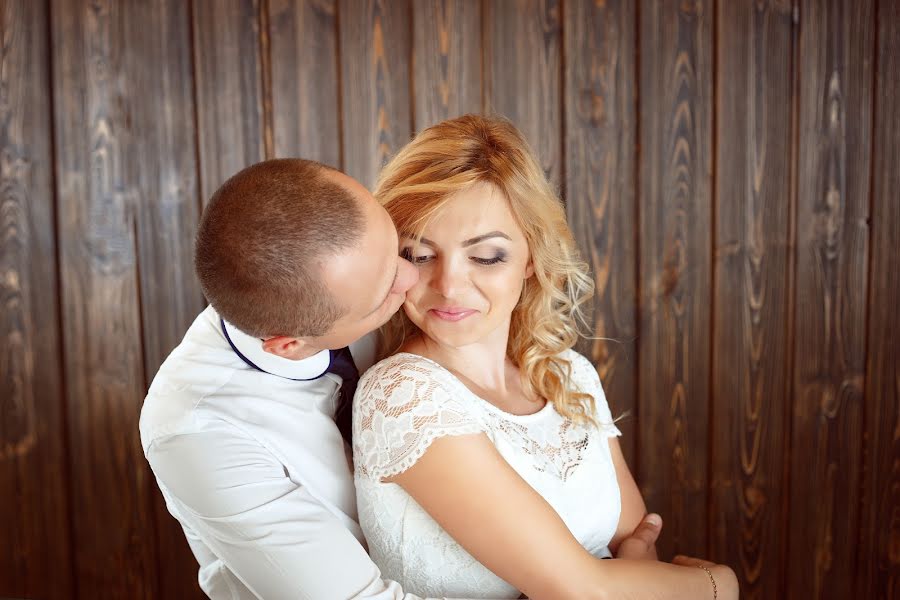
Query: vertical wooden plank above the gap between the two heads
x,y
375,48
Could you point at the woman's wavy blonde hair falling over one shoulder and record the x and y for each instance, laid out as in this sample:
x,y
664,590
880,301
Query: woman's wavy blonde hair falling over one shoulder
x,y
455,154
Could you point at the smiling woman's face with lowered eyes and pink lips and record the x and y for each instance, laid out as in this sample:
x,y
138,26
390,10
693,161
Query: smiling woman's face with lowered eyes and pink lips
x,y
473,261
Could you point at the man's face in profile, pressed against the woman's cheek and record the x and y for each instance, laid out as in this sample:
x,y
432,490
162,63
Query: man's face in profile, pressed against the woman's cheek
x,y
370,281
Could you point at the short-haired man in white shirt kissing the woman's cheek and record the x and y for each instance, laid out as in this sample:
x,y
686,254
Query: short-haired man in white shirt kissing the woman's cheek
x,y
298,262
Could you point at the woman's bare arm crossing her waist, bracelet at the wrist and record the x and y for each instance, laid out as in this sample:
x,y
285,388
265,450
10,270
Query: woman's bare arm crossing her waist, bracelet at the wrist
x,y
473,493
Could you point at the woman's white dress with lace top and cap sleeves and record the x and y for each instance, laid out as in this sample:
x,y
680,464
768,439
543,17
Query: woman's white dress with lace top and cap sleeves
x,y
405,402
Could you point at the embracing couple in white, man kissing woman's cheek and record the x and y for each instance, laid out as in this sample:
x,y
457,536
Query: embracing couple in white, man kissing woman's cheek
x,y
484,458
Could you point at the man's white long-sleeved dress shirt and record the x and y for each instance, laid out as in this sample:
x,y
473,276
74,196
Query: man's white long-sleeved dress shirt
x,y
252,465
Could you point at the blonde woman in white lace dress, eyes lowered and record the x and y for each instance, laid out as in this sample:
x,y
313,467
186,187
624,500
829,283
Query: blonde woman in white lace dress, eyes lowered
x,y
487,463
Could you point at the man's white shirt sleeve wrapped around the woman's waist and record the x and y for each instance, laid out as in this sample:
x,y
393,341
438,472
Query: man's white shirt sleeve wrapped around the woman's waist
x,y
270,532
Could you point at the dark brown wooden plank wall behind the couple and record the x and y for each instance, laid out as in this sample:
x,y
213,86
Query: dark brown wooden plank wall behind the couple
x,y
731,171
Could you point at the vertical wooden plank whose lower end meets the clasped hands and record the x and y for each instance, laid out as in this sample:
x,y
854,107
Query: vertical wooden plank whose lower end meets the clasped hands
x,y
675,224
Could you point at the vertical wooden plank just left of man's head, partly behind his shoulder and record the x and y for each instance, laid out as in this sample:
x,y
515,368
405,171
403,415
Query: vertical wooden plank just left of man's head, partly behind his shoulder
x,y
163,172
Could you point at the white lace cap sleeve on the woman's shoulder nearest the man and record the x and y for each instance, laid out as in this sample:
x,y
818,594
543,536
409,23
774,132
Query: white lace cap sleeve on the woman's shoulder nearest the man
x,y
401,406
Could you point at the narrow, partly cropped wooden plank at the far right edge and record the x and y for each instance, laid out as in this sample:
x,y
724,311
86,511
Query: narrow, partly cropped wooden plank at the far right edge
x,y
878,559
